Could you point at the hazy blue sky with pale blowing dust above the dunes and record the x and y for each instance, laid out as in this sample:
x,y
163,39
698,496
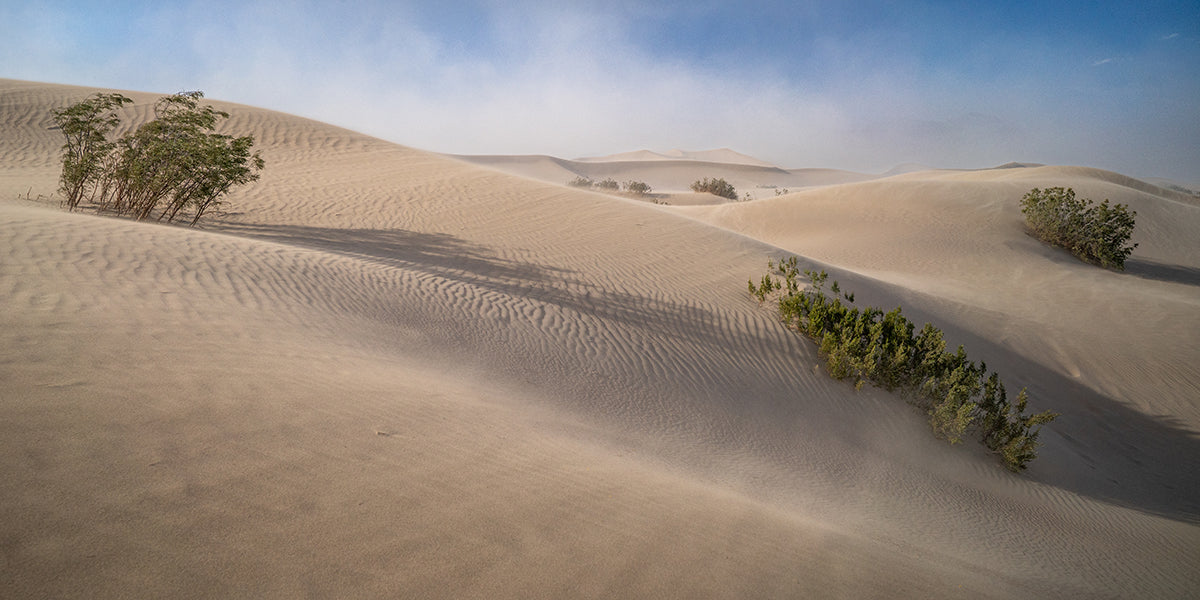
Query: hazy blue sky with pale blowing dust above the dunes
x,y
857,86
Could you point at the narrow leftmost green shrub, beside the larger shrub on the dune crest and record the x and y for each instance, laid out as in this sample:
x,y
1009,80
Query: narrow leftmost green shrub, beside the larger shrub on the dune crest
x,y
87,125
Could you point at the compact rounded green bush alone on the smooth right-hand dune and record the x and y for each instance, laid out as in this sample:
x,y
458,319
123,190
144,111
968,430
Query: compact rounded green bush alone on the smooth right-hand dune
x,y
1095,233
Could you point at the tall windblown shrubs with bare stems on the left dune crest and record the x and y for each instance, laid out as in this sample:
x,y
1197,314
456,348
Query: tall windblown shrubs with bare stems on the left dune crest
x,y
173,165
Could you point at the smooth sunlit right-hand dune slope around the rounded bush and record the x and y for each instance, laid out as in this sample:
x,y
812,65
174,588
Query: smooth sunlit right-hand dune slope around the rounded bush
x,y
961,236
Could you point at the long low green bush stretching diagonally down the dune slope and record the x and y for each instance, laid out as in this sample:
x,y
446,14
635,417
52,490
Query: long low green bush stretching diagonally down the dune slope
x,y
886,351
